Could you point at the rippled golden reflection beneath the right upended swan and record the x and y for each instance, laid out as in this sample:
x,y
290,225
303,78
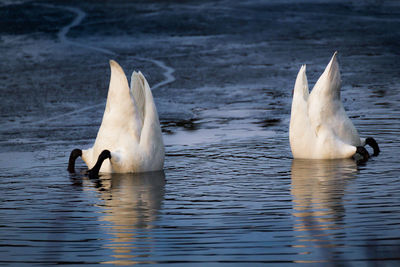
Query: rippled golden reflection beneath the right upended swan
x,y
318,188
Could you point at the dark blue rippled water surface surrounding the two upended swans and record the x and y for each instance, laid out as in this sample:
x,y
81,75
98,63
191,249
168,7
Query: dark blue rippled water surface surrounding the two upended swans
x,y
222,77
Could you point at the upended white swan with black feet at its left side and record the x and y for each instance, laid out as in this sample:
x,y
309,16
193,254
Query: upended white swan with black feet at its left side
x,y
130,134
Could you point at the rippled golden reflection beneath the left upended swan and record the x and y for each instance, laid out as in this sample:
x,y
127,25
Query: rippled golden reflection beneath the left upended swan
x,y
131,205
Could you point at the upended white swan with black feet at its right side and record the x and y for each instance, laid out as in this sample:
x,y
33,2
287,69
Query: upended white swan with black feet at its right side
x,y
319,127
